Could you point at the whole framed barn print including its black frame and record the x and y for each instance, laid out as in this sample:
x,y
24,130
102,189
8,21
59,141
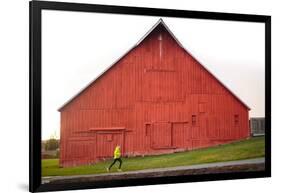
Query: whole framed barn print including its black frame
x,y
126,96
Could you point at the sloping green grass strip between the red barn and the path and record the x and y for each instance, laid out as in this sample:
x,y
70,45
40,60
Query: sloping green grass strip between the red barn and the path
x,y
251,148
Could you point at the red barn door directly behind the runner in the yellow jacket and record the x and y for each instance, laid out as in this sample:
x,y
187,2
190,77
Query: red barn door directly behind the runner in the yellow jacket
x,y
106,143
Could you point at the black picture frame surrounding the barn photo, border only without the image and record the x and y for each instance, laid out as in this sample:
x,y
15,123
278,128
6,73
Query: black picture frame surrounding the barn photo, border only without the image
x,y
35,12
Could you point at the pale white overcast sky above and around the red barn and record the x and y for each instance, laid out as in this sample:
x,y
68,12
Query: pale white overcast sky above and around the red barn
x,y
77,47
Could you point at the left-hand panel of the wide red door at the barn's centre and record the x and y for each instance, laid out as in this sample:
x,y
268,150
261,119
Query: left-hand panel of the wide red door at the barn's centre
x,y
161,135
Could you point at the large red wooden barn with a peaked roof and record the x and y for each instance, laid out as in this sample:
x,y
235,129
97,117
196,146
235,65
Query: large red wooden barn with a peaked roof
x,y
155,99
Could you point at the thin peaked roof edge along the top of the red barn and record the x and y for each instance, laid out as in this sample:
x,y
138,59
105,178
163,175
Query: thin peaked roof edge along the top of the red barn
x,y
158,23
